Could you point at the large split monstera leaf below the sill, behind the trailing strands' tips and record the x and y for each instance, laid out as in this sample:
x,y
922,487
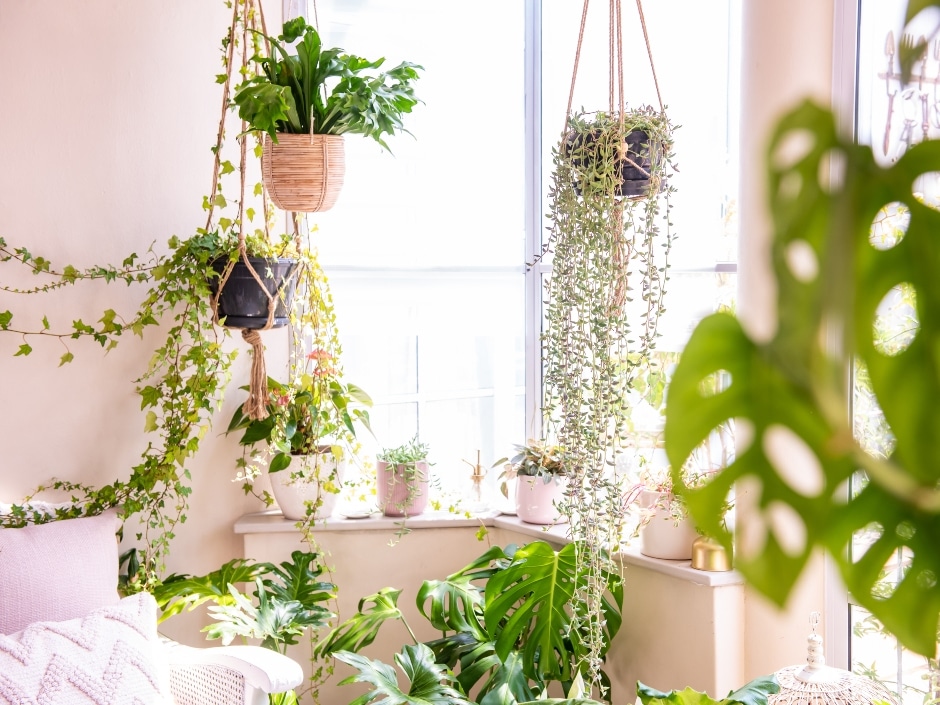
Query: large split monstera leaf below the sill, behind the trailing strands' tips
x,y
528,607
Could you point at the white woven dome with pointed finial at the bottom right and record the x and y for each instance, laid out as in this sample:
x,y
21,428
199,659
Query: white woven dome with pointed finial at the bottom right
x,y
819,684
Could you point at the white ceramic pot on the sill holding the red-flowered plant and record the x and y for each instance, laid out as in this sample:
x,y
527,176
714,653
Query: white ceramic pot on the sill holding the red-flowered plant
x,y
292,491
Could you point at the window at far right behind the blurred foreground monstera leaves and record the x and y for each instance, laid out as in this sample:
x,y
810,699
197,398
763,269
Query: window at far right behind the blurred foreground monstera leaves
x,y
890,118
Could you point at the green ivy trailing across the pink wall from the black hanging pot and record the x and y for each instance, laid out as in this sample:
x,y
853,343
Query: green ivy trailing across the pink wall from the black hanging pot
x,y
184,382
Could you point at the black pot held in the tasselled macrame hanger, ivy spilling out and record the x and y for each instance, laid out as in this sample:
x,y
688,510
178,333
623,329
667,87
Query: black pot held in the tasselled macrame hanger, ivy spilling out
x,y
249,291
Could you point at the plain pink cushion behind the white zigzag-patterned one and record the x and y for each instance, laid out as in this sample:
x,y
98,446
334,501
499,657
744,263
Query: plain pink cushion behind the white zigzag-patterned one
x,y
57,571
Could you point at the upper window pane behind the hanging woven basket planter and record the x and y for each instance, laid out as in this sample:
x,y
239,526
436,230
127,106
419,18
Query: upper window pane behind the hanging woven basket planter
x,y
454,193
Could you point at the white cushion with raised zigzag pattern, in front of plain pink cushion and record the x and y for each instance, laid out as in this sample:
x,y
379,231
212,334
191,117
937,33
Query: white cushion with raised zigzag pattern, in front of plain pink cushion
x,y
110,657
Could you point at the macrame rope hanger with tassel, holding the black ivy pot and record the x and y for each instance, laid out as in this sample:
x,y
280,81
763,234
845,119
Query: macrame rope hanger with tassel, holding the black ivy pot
x,y
255,407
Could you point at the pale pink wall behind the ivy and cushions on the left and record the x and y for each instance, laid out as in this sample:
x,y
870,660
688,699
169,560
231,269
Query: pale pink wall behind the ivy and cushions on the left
x,y
109,109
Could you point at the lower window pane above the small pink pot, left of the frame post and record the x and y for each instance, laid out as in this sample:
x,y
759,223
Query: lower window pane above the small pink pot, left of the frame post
x,y
440,355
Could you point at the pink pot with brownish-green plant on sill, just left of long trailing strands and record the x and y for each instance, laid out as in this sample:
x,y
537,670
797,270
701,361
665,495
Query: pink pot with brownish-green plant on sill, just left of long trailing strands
x,y
541,480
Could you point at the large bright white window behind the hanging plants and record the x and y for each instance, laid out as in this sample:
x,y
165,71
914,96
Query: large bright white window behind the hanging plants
x,y
426,251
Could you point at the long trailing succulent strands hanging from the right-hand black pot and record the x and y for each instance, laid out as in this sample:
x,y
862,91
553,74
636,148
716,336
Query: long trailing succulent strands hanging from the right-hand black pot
x,y
604,299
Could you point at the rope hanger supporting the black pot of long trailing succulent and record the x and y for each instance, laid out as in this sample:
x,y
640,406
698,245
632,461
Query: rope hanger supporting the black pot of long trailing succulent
x,y
616,105
